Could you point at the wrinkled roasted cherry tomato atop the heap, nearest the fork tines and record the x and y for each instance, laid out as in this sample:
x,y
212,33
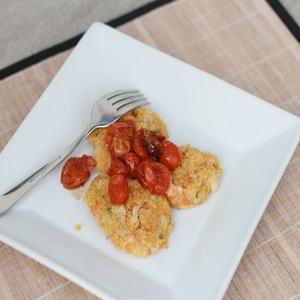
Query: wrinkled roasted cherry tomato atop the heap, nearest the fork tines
x,y
119,138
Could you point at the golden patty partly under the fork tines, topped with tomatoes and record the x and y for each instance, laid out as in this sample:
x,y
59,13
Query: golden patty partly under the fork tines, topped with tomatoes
x,y
142,117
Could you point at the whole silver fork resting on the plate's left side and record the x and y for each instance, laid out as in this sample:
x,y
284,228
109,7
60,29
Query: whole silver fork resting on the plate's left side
x,y
107,110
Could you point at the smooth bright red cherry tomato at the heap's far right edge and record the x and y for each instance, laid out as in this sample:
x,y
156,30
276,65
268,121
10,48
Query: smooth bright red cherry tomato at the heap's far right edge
x,y
171,156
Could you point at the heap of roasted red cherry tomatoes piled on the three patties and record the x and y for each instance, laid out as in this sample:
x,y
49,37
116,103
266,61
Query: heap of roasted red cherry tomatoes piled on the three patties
x,y
142,154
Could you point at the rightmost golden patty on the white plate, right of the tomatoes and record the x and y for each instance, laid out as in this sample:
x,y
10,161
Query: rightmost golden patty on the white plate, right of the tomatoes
x,y
194,180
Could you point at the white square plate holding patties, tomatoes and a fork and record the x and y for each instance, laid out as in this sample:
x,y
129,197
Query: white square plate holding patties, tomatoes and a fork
x,y
253,140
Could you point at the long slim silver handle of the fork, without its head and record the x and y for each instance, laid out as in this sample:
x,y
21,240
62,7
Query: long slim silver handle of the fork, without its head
x,y
16,193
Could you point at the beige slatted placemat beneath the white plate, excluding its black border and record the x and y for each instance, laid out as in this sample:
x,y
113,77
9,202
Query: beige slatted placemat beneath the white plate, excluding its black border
x,y
242,42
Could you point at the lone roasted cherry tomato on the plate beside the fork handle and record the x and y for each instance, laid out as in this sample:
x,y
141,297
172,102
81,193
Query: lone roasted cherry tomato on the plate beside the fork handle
x,y
76,171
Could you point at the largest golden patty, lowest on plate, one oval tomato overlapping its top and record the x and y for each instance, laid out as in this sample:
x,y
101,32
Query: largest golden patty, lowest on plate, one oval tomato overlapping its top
x,y
141,226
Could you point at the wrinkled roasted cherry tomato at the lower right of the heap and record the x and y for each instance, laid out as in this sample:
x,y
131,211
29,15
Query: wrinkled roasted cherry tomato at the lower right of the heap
x,y
153,176
